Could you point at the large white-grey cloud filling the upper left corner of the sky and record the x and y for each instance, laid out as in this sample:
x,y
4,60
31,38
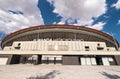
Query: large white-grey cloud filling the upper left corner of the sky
x,y
29,16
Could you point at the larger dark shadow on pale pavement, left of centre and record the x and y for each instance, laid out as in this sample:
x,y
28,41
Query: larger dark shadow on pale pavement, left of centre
x,y
49,75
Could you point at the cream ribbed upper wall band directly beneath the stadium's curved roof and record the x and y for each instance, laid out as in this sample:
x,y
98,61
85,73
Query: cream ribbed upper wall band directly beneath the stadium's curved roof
x,y
59,46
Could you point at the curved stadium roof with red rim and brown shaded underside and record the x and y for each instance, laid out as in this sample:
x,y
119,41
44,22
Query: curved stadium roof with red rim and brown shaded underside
x,y
56,32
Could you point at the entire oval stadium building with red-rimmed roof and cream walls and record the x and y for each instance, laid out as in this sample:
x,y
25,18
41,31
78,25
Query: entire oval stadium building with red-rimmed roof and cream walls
x,y
60,44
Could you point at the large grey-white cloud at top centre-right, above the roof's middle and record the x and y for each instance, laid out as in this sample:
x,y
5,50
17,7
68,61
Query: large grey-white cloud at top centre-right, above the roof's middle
x,y
82,10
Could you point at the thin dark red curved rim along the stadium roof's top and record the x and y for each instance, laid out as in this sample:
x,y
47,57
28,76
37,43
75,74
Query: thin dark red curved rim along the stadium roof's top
x,y
60,26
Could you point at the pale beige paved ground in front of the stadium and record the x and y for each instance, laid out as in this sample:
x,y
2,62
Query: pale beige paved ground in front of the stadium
x,y
29,71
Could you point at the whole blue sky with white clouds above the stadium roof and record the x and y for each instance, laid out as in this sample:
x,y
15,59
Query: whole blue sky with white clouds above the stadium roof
x,y
103,15
